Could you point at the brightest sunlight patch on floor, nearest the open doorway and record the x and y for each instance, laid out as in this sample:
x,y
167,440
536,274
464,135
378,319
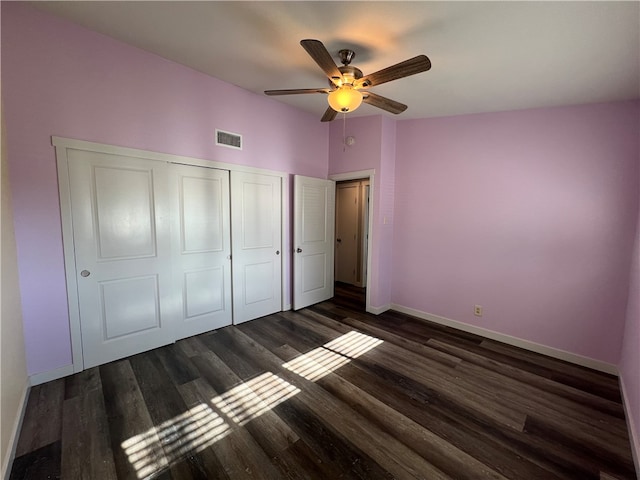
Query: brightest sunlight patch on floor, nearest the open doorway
x,y
323,360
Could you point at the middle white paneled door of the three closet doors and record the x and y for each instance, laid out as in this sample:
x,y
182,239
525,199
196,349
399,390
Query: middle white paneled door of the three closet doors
x,y
201,248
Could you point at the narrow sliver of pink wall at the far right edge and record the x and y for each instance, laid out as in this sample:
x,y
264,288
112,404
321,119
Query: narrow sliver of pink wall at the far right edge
x,y
630,357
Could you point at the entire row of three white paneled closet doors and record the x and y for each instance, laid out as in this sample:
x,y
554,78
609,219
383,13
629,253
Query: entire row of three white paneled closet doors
x,y
152,246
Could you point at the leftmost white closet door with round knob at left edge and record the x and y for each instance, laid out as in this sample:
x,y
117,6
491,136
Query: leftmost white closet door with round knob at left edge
x,y
120,211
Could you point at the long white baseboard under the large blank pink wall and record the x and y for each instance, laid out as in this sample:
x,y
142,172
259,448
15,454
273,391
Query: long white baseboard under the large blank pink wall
x,y
516,342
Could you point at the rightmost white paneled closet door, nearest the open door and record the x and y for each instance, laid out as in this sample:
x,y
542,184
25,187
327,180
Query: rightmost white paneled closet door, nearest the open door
x,y
256,202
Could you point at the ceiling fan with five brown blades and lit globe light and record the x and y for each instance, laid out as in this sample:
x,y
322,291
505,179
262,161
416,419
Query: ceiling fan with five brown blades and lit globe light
x,y
348,88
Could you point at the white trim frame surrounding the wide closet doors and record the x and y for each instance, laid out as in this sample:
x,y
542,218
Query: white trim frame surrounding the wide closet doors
x,y
62,145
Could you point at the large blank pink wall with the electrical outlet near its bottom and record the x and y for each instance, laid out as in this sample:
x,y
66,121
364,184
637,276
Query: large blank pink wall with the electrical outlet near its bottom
x,y
531,214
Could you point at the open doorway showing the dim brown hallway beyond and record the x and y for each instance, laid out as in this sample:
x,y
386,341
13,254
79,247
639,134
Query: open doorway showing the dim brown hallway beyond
x,y
352,242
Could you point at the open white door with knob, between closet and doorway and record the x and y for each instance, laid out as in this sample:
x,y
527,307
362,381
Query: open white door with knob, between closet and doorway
x,y
313,236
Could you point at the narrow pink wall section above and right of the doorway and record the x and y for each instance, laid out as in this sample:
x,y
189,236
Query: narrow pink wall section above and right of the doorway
x,y
374,148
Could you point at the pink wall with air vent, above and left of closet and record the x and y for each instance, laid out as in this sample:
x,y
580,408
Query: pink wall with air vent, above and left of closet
x,y
60,79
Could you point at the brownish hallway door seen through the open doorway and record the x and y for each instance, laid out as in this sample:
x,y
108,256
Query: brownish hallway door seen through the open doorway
x,y
347,224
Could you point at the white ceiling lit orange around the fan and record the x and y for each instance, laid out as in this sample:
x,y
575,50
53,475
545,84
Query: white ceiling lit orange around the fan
x,y
486,56
